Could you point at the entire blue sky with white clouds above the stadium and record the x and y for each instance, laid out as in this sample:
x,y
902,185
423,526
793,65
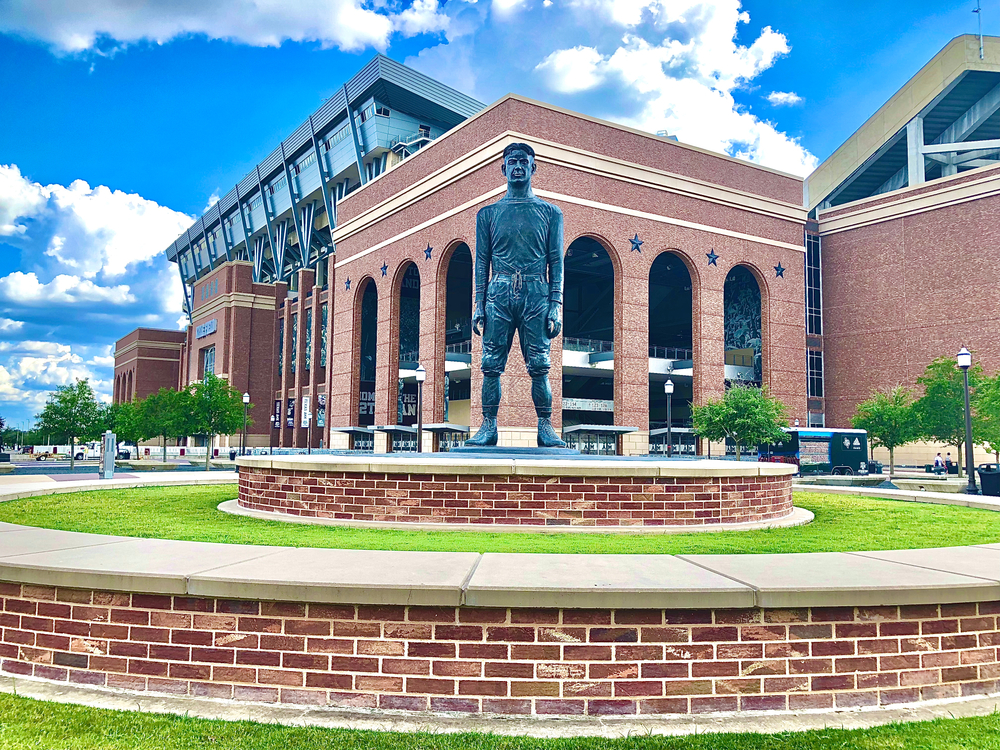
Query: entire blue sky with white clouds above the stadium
x,y
121,120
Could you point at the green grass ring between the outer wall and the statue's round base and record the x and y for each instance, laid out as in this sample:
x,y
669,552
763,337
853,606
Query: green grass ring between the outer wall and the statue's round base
x,y
842,523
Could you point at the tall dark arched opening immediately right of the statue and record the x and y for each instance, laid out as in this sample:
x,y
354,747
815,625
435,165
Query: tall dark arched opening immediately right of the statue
x,y
588,343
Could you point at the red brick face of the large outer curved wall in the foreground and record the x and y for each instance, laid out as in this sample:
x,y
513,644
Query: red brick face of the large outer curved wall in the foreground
x,y
496,660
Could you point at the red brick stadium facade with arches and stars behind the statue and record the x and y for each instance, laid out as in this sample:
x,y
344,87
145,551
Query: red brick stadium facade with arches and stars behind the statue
x,y
903,276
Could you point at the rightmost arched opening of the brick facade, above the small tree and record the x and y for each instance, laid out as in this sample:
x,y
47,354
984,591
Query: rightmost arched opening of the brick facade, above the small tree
x,y
743,340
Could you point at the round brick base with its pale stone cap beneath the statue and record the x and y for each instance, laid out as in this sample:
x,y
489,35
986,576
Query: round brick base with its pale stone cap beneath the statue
x,y
579,493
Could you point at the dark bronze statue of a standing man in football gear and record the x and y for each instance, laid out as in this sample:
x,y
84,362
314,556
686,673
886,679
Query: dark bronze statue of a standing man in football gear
x,y
519,277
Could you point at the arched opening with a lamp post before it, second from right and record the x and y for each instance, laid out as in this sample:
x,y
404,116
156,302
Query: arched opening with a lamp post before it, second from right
x,y
671,357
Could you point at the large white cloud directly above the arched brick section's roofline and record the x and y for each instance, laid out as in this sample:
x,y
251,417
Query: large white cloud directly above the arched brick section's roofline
x,y
675,65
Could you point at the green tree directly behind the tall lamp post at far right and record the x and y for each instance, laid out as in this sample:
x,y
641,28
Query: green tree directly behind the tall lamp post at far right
x,y
940,411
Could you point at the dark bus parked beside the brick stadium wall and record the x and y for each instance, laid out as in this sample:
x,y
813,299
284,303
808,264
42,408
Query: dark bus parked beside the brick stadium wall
x,y
819,451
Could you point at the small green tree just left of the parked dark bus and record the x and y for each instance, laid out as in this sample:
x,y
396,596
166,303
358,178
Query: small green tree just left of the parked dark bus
x,y
747,415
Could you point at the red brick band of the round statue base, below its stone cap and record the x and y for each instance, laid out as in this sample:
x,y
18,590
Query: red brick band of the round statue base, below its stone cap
x,y
537,500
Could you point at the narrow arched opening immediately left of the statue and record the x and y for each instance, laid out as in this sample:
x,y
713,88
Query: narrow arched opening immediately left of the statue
x,y
458,346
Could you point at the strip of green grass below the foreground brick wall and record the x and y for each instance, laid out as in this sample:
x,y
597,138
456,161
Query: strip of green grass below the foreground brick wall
x,y
27,723
